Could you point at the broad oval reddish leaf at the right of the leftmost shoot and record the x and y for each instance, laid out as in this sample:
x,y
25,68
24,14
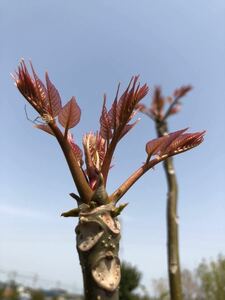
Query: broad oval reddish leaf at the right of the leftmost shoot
x,y
69,115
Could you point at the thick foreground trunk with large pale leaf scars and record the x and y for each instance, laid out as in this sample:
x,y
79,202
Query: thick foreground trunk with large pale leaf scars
x,y
98,236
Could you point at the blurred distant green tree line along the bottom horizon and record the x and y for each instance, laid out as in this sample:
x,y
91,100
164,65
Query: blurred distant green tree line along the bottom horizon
x,y
206,282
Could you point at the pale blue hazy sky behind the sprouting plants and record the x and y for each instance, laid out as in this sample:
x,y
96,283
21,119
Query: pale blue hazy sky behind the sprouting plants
x,y
87,48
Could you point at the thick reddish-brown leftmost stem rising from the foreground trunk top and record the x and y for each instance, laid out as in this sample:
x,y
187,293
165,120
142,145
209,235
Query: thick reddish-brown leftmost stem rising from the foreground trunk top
x,y
83,188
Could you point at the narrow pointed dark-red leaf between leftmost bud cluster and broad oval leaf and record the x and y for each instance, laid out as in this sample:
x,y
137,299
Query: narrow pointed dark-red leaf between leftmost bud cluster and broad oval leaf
x,y
53,98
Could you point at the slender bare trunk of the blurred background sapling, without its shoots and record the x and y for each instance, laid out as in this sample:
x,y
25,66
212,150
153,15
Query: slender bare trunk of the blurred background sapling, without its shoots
x,y
172,224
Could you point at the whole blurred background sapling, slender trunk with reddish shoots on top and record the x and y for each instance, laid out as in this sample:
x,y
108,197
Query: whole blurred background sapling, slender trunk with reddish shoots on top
x,y
160,117
